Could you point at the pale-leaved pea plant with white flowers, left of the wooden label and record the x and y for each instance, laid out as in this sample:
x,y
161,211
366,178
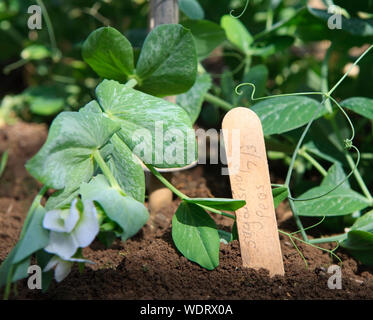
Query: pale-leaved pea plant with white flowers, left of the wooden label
x,y
91,159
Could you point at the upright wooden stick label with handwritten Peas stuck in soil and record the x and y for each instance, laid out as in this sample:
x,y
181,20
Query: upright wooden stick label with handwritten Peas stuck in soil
x,y
250,181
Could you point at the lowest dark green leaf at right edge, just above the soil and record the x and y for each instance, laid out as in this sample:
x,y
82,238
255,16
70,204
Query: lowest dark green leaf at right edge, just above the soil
x,y
360,245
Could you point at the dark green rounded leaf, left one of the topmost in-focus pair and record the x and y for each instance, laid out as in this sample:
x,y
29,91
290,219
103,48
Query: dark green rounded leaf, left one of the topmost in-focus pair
x,y
109,54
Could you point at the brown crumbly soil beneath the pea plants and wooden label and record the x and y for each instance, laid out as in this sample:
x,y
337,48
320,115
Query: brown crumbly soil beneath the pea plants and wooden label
x,y
148,266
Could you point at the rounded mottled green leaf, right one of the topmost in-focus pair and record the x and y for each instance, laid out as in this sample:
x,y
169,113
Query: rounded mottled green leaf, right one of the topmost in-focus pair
x,y
168,61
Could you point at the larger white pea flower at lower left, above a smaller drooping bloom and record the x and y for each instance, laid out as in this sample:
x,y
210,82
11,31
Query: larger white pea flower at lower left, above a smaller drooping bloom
x,y
71,229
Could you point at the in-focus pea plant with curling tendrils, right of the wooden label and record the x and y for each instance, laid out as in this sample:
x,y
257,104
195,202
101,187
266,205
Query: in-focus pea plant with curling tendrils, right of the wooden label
x,y
334,198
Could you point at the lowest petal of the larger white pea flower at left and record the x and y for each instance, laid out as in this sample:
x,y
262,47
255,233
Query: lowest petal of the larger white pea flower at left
x,y
62,244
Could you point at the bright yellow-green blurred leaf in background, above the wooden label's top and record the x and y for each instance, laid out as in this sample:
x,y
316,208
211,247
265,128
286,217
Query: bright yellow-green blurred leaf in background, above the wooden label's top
x,y
237,33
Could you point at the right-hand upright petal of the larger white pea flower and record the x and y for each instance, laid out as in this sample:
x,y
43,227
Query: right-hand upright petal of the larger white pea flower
x,y
87,227
